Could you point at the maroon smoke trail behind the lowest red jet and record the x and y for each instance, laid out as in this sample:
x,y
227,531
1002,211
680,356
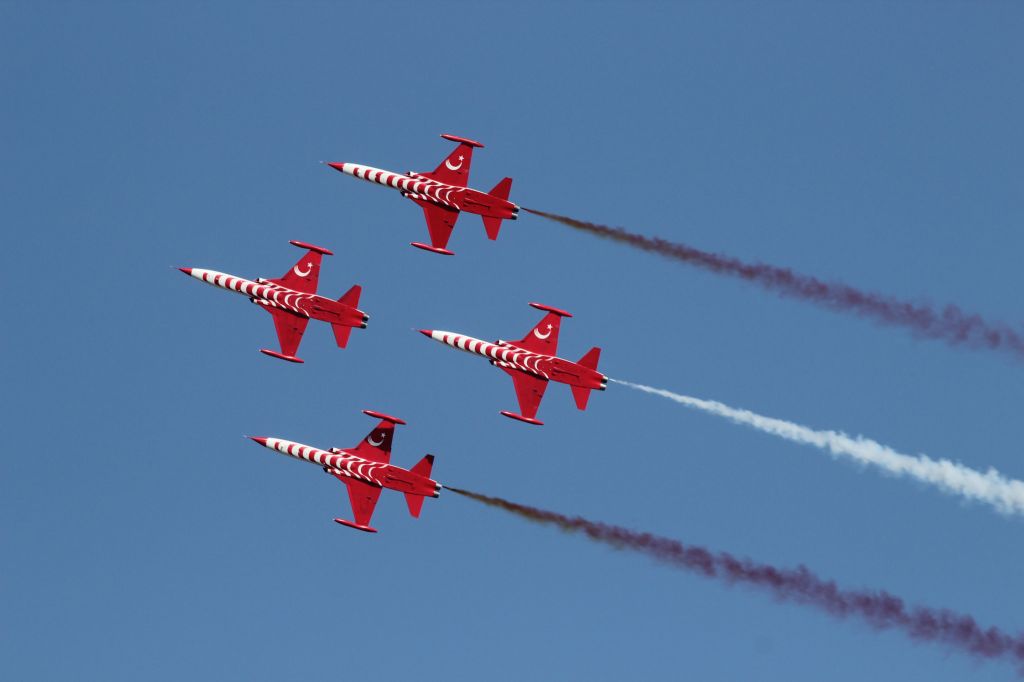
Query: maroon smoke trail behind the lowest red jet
x,y
880,610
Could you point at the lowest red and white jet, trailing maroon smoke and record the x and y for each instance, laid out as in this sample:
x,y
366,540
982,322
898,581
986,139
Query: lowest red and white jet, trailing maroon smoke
x,y
366,471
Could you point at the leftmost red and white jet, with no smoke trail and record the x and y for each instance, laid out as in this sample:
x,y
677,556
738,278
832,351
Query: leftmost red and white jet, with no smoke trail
x,y
293,301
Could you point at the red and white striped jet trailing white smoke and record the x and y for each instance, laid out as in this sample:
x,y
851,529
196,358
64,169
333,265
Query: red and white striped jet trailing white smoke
x,y
532,363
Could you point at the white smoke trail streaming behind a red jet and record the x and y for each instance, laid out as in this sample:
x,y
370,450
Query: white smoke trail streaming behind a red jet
x,y
1007,495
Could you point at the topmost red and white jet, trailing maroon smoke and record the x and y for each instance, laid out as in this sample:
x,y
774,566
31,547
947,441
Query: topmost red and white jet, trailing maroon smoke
x,y
444,194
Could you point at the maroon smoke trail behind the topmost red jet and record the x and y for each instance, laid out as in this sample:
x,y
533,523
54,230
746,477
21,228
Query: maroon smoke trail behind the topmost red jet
x,y
951,324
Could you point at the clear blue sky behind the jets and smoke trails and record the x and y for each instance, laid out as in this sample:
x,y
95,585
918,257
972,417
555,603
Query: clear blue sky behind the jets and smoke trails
x,y
874,144
